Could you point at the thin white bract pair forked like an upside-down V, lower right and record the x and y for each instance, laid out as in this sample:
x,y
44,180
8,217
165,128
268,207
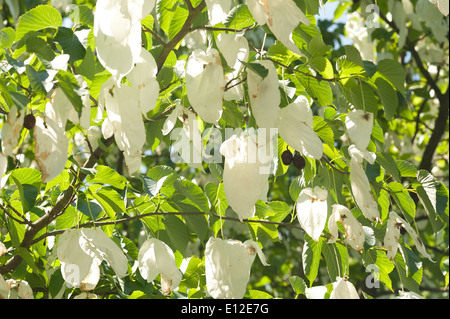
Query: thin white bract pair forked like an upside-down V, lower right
x,y
392,236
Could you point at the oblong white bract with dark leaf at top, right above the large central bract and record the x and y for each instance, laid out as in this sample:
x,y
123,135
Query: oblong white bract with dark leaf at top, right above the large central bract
x,y
264,95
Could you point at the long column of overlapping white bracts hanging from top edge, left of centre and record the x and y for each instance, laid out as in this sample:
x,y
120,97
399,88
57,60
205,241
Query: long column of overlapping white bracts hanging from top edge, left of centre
x,y
117,31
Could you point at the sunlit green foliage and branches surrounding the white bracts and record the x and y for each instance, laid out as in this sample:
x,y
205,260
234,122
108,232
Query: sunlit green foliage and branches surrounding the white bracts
x,y
407,91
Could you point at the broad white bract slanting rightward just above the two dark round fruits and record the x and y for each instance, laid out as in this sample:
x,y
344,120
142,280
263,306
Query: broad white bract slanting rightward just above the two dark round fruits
x,y
295,126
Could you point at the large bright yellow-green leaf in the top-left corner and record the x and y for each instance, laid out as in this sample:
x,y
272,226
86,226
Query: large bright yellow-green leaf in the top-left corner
x,y
38,18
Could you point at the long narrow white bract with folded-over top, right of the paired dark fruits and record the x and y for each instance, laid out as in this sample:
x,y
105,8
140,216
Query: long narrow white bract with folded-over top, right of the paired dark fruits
x,y
361,190
